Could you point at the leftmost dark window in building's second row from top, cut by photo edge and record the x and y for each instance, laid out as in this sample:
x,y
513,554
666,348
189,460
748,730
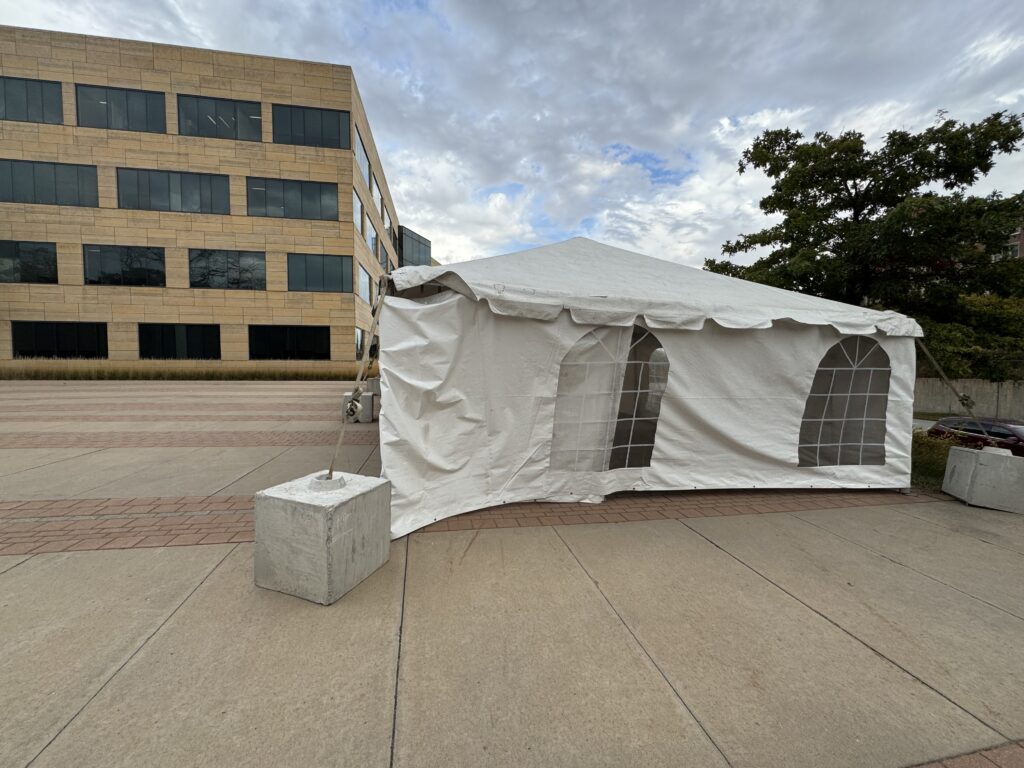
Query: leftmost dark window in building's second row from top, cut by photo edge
x,y
49,184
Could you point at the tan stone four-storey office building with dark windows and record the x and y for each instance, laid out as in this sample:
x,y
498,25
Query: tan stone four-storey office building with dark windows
x,y
170,206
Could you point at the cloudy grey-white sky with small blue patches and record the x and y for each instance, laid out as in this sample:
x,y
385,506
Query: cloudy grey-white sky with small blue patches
x,y
510,124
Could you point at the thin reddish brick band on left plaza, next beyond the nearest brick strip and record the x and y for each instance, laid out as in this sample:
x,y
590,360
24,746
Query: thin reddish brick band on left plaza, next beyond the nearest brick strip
x,y
197,439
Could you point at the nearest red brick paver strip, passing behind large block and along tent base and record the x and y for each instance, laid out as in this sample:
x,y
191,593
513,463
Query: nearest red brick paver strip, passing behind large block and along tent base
x,y
75,525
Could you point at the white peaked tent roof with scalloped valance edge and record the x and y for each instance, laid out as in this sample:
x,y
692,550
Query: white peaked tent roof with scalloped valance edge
x,y
602,285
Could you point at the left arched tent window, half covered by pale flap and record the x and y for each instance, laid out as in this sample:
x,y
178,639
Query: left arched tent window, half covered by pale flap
x,y
609,401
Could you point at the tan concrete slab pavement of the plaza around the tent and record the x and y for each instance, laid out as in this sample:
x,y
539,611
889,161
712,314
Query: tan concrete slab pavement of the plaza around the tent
x,y
844,631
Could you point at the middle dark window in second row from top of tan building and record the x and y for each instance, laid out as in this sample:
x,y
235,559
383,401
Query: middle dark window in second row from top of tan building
x,y
174,191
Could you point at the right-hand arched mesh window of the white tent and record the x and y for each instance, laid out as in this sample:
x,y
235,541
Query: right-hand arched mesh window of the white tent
x,y
845,417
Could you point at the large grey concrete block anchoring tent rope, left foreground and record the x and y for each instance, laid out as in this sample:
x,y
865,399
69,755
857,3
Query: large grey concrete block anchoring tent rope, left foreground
x,y
318,539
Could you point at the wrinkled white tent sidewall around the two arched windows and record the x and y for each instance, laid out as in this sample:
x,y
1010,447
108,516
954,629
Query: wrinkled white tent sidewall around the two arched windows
x,y
470,397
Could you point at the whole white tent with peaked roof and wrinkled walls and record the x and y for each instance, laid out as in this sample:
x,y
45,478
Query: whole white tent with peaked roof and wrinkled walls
x,y
578,370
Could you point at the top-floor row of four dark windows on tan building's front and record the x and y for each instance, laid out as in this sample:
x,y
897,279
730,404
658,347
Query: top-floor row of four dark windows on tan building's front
x,y
132,110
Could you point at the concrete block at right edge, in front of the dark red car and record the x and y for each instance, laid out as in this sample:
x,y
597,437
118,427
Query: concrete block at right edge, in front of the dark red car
x,y
993,479
